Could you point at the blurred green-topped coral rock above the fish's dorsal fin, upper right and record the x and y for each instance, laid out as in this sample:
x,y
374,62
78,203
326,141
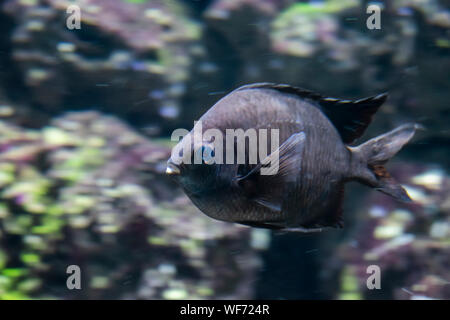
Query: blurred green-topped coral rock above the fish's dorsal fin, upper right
x,y
332,37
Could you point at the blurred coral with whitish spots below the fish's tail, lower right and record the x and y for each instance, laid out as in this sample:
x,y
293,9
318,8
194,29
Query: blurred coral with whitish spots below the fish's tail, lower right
x,y
409,244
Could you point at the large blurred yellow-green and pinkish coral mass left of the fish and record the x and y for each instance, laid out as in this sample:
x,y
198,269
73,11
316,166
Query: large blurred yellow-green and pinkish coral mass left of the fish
x,y
87,190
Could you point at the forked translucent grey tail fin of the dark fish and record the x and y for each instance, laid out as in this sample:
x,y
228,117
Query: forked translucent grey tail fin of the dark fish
x,y
369,159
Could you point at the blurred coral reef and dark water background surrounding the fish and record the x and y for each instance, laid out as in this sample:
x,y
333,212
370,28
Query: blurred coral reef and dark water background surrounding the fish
x,y
85,122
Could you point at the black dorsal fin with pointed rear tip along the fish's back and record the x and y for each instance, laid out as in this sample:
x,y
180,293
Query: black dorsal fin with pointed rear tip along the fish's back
x,y
350,118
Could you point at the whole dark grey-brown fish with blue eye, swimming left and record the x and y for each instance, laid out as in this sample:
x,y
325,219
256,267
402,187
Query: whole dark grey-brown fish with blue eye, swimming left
x,y
315,159
